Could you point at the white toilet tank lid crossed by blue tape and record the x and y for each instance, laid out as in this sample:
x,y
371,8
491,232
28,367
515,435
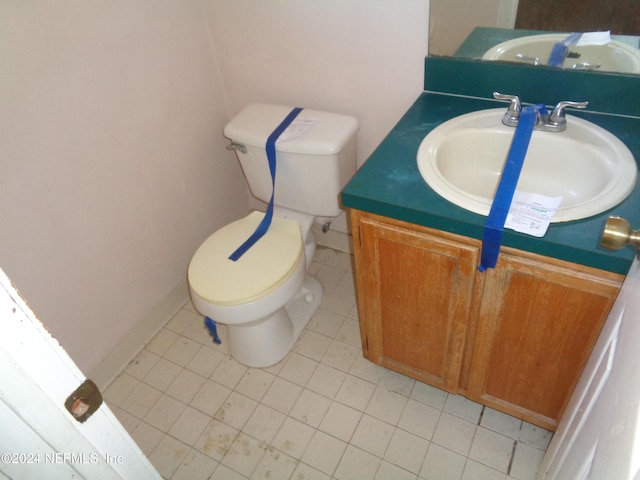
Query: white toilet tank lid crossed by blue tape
x,y
327,133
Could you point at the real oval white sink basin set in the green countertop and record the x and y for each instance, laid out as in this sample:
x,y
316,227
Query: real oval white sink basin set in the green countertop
x,y
592,170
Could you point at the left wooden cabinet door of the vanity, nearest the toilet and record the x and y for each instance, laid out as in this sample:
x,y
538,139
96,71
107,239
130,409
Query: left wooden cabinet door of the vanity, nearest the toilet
x,y
415,297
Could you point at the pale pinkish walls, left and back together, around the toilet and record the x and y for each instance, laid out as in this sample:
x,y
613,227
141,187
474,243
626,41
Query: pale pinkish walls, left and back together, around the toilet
x,y
112,163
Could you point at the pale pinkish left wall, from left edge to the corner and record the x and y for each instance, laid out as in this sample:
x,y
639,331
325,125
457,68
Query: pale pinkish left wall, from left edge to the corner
x,y
113,166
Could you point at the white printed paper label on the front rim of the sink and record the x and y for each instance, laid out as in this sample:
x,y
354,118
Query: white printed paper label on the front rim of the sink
x,y
531,213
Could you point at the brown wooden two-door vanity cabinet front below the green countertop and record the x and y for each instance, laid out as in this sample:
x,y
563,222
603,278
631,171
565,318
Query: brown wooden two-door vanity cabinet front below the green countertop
x,y
515,338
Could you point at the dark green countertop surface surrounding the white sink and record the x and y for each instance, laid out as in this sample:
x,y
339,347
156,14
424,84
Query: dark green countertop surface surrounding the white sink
x,y
390,184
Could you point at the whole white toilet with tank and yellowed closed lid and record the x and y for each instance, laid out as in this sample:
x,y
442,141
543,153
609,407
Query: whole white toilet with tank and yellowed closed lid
x,y
266,298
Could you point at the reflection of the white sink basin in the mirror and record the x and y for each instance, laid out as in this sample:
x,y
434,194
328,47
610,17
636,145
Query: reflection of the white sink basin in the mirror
x,y
614,57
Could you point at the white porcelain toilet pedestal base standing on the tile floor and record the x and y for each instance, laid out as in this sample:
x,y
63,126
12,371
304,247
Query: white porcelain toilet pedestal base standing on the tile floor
x,y
267,341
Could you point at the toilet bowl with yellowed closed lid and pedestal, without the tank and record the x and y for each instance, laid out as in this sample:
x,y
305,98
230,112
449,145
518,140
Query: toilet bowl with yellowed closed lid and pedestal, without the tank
x,y
264,298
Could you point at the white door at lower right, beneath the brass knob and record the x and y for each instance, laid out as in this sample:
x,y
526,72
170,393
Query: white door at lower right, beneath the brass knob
x,y
598,437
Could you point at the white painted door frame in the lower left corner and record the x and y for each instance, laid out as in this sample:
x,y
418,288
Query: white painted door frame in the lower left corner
x,y
39,438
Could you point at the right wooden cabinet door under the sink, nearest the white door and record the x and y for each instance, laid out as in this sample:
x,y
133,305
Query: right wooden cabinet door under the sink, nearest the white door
x,y
538,323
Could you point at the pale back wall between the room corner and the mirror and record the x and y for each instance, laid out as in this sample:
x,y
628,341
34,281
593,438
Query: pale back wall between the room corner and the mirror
x,y
358,57
